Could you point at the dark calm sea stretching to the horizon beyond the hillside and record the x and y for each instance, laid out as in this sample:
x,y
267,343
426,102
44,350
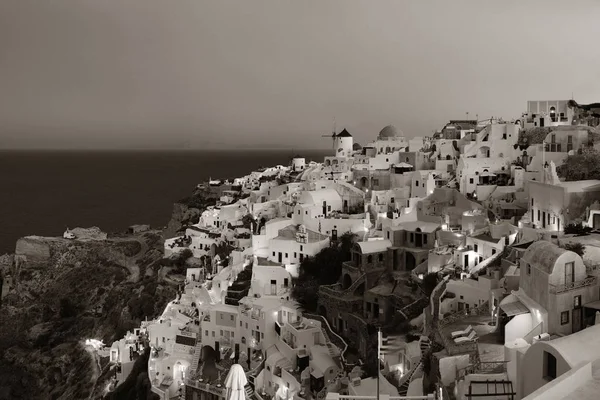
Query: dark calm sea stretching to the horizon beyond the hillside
x,y
44,192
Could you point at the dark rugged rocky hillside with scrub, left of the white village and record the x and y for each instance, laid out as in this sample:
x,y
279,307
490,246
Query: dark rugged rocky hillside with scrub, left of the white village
x,y
65,291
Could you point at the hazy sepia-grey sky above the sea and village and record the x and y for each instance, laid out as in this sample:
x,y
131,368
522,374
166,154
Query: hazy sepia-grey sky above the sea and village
x,y
274,74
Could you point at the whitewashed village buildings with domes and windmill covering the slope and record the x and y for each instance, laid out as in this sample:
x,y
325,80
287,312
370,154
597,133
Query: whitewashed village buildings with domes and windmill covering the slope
x,y
466,244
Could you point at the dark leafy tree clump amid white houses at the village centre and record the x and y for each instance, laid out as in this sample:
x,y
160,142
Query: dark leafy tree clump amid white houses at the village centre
x,y
324,268
